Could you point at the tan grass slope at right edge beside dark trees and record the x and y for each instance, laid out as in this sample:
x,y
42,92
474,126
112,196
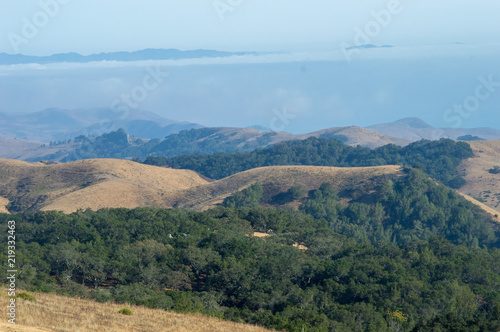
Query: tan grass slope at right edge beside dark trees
x,y
480,183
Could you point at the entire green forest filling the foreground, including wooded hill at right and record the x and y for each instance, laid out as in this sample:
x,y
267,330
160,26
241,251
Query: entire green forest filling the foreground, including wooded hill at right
x,y
414,258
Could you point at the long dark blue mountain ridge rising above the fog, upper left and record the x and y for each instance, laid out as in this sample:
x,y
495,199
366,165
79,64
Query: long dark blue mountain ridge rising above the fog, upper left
x,y
146,54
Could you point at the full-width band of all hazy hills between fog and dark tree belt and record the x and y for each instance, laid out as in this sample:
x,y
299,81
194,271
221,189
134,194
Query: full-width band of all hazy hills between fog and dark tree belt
x,y
33,132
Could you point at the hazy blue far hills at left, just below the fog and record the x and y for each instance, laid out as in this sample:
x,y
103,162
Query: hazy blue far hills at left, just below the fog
x,y
55,124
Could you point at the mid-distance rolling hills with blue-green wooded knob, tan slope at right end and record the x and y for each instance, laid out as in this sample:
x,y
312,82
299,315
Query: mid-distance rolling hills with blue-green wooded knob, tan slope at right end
x,y
191,140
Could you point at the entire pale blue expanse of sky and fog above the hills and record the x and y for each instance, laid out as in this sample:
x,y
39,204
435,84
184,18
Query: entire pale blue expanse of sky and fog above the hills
x,y
444,51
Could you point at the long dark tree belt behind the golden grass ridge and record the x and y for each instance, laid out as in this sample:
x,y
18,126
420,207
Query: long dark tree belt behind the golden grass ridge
x,y
439,159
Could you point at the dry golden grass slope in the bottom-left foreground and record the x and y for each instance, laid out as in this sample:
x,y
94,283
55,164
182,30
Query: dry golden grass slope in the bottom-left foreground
x,y
57,313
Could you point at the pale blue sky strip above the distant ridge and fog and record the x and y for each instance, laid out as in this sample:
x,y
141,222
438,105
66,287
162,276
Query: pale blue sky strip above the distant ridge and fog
x,y
93,26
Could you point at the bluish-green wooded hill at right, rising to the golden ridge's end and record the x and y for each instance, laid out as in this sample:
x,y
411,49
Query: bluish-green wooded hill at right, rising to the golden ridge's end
x,y
411,208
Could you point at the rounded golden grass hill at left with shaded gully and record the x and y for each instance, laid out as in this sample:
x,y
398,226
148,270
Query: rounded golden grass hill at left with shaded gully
x,y
93,183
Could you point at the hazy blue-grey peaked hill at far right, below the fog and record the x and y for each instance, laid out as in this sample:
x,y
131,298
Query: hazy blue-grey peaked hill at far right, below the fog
x,y
415,129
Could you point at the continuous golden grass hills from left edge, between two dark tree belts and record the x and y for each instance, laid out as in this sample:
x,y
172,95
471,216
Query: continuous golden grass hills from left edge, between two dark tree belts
x,y
100,183
